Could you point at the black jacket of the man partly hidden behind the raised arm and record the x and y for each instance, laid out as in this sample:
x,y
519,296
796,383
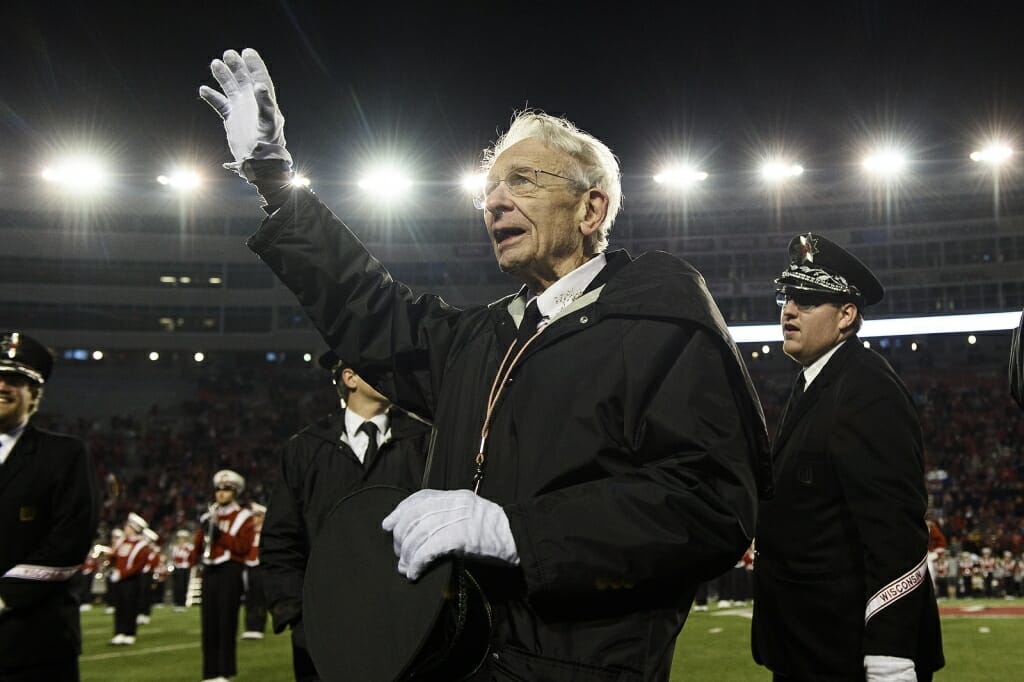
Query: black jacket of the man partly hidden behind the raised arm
x,y
318,470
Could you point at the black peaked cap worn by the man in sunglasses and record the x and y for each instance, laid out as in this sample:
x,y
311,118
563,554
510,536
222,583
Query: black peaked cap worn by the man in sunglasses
x,y
823,268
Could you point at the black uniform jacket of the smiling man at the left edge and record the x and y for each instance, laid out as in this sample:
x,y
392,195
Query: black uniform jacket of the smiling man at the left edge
x,y
50,507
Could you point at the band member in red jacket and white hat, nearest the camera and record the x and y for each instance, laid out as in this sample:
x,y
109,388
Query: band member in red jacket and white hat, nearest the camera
x,y
224,540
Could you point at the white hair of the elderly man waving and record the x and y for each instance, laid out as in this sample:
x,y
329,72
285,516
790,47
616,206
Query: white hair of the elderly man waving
x,y
593,163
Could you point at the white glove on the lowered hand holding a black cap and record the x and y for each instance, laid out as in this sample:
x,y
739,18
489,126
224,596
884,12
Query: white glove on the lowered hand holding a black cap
x,y
432,524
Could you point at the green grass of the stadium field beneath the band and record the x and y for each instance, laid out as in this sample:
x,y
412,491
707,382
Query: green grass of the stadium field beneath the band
x,y
714,646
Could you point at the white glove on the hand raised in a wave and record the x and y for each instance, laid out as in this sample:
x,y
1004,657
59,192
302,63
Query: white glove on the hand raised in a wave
x,y
253,121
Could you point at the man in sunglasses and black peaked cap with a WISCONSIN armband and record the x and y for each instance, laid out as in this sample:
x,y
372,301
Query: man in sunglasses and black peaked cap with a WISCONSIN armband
x,y
842,590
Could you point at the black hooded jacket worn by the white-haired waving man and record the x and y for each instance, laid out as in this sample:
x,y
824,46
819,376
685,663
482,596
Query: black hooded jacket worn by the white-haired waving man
x,y
623,449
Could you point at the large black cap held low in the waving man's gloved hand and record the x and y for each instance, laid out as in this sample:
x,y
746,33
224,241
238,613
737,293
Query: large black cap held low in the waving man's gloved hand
x,y
365,621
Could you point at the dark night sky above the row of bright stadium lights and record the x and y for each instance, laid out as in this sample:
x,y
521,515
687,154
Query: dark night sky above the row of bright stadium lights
x,y
435,81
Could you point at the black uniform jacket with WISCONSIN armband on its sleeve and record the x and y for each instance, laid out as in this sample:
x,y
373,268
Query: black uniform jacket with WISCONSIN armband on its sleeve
x,y
848,520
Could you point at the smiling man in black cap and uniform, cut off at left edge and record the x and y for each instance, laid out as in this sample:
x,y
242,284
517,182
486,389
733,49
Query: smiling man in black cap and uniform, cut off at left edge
x,y
50,505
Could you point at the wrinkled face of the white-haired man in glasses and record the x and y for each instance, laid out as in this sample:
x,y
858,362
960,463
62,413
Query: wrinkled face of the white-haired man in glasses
x,y
537,238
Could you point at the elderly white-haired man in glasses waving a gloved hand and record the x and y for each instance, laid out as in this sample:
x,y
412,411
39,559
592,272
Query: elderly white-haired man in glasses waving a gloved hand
x,y
599,440
